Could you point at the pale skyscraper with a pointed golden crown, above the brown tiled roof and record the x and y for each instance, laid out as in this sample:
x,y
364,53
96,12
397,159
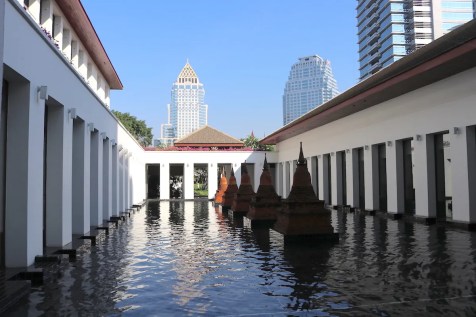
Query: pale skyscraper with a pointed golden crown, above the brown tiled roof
x,y
186,111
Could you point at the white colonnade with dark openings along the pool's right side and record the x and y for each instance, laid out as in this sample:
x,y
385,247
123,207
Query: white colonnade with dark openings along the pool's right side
x,y
430,175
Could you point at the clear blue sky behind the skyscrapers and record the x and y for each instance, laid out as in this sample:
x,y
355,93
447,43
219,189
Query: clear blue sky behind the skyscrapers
x,y
241,50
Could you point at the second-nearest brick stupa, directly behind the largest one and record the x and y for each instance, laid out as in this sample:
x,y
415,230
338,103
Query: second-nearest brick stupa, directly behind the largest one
x,y
266,203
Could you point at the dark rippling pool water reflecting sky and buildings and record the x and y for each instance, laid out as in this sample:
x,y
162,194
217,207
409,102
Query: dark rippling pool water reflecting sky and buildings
x,y
187,259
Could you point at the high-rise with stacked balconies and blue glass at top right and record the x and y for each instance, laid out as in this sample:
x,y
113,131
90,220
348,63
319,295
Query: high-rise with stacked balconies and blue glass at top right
x,y
391,29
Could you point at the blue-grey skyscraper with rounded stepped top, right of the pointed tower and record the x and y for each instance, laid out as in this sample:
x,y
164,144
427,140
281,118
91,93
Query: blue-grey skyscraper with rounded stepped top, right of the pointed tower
x,y
309,85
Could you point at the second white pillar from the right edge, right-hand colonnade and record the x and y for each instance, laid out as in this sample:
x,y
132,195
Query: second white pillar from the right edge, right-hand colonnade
x,y
424,176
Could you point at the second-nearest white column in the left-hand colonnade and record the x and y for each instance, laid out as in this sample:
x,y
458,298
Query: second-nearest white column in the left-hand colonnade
x,y
58,177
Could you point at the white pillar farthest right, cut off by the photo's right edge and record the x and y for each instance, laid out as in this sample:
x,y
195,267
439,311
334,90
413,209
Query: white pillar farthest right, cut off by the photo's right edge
x,y
463,169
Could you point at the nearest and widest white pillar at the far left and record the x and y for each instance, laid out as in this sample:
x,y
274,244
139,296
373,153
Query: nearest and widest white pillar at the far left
x,y
24,176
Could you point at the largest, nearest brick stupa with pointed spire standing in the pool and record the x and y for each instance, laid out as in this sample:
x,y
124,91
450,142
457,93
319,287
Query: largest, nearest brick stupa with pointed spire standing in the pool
x,y
303,217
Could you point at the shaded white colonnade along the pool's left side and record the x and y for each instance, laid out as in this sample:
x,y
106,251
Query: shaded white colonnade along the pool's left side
x,y
63,176
